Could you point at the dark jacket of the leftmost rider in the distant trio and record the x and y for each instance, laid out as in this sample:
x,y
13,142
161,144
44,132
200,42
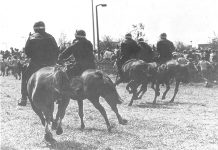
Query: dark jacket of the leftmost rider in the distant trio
x,y
129,49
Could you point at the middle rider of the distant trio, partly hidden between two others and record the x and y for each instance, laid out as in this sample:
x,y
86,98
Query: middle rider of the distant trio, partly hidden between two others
x,y
145,52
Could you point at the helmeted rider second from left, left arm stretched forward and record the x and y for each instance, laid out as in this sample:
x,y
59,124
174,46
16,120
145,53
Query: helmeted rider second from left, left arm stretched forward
x,y
82,50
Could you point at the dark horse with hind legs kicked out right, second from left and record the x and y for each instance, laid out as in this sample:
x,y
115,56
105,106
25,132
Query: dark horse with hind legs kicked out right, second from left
x,y
92,85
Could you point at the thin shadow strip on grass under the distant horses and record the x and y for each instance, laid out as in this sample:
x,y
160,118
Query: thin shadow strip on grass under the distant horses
x,y
167,105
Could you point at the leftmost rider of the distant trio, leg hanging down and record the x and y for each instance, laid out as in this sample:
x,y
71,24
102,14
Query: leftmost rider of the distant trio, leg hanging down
x,y
129,50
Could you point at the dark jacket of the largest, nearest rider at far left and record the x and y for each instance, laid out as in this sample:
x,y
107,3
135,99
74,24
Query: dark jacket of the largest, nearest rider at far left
x,y
42,49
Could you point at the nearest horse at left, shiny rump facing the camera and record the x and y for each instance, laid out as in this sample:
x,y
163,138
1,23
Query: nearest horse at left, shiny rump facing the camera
x,y
45,87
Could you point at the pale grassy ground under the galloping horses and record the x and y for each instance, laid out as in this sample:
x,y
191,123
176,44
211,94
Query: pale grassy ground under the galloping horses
x,y
191,122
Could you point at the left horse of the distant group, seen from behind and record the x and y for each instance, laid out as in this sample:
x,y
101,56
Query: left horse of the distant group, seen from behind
x,y
138,73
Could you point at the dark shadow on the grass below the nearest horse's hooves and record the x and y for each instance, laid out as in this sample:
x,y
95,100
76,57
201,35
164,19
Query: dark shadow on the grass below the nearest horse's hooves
x,y
64,145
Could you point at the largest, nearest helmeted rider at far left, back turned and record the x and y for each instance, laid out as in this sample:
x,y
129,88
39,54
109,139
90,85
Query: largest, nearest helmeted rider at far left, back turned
x,y
42,49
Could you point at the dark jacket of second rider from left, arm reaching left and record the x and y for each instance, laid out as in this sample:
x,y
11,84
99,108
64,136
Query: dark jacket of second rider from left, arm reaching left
x,y
82,50
